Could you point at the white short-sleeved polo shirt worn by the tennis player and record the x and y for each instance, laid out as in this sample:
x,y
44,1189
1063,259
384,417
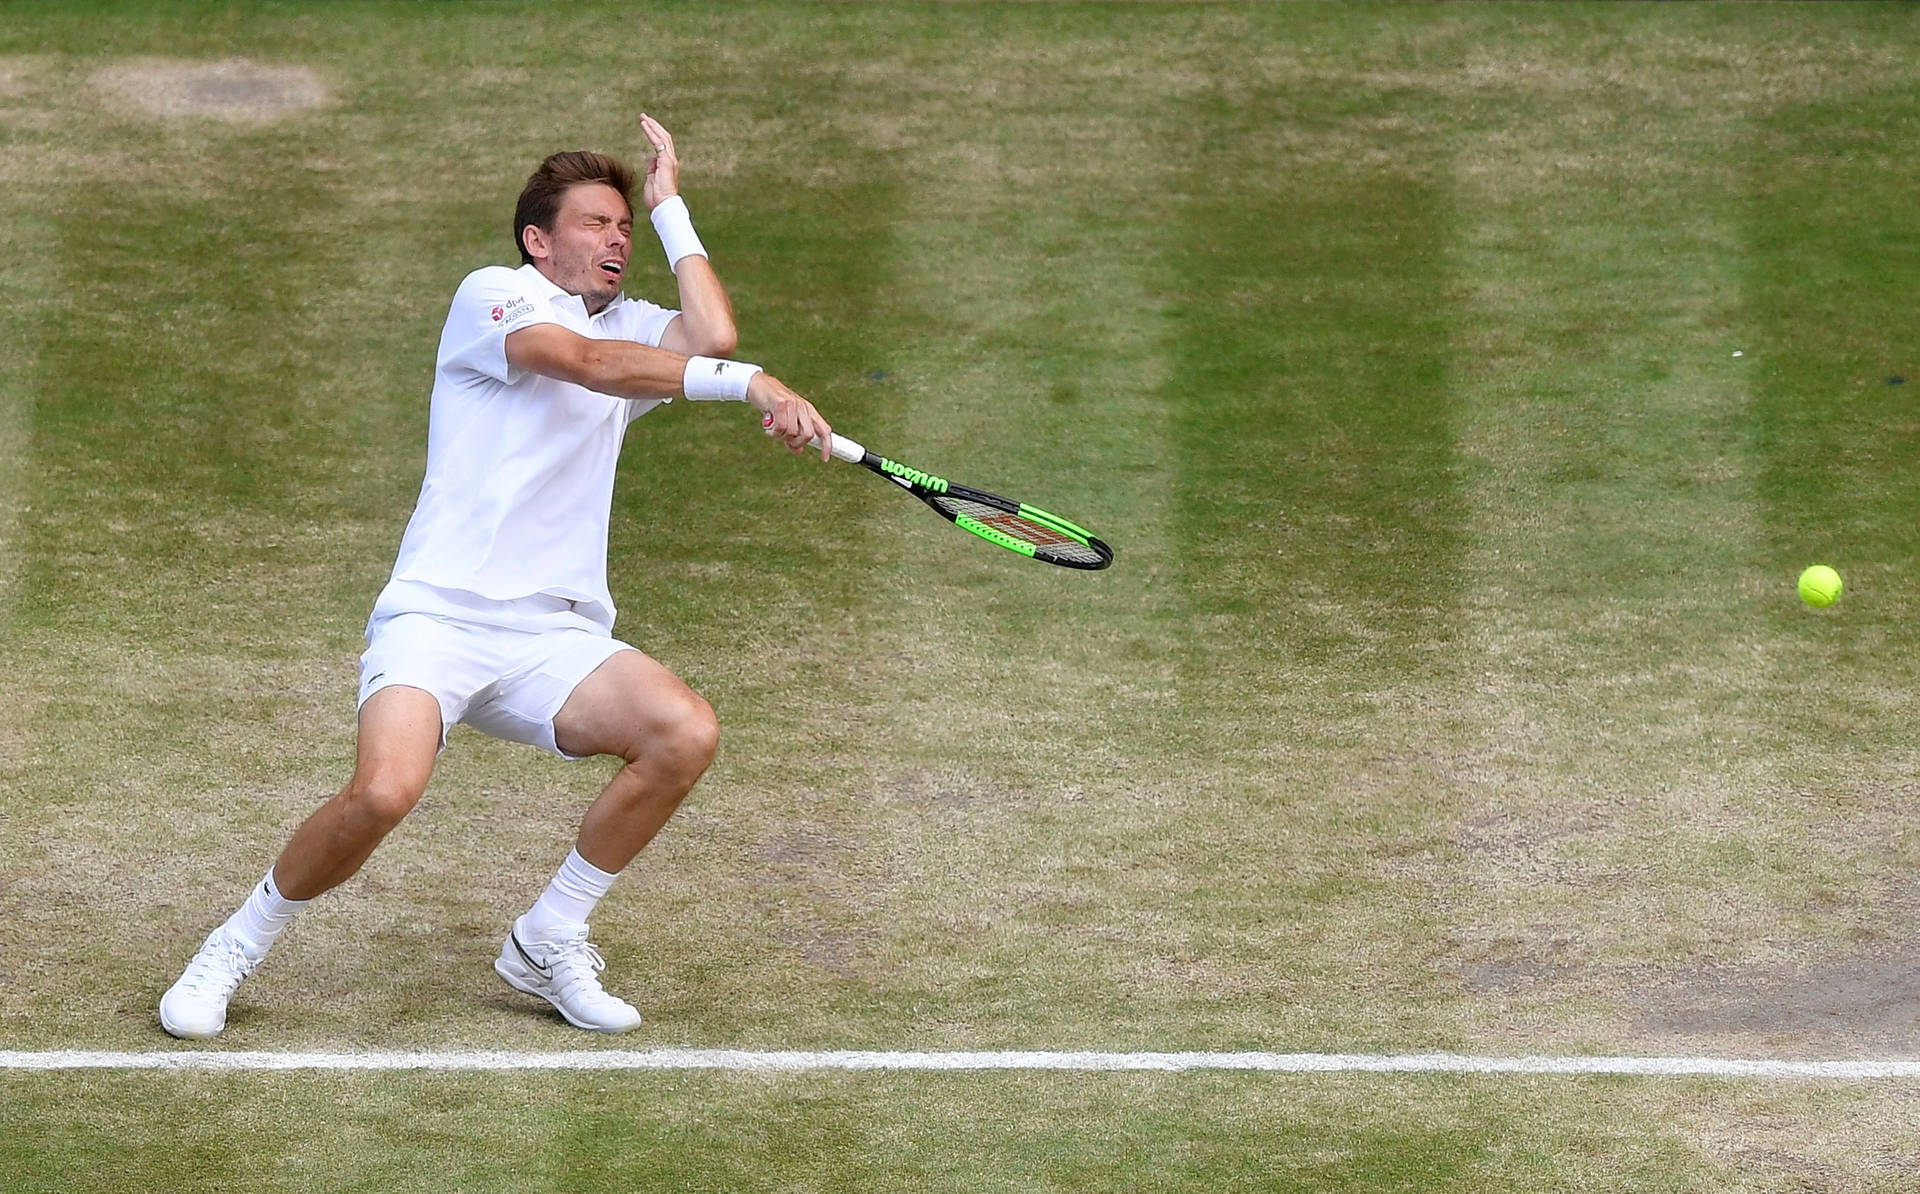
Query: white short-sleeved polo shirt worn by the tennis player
x,y
519,467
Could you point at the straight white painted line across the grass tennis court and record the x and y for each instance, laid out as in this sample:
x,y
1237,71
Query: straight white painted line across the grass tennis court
x,y
794,1063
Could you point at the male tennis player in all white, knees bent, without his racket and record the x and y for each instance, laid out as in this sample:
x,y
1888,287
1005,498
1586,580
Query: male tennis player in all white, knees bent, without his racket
x,y
498,611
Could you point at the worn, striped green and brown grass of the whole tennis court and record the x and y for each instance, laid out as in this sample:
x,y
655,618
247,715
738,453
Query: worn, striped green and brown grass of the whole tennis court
x,y
1449,692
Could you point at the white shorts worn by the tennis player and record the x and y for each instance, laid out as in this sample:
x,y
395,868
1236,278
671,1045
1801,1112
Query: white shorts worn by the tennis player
x,y
502,681
